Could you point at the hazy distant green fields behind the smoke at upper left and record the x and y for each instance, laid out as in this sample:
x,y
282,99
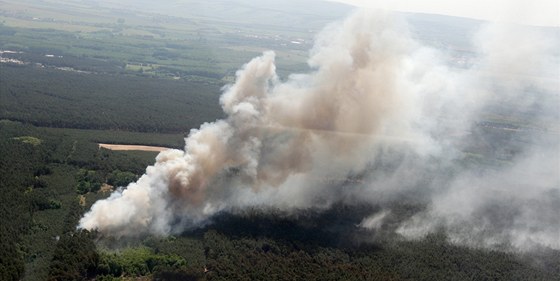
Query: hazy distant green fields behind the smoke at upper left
x,y
186,47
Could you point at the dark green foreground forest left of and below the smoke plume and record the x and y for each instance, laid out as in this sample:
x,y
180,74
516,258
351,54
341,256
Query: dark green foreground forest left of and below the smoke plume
x,y
50,179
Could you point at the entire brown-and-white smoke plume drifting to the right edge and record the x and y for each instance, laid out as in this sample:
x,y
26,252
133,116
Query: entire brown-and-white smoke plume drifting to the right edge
x,y
379,118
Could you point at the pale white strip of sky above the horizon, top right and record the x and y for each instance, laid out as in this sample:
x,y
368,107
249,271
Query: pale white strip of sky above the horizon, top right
x,y
530,12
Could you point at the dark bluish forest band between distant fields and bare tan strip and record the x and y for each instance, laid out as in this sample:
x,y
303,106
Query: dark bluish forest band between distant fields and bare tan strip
x,y
55,98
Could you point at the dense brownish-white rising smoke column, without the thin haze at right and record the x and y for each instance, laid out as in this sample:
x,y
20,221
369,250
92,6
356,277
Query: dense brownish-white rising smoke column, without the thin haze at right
x,y
278,137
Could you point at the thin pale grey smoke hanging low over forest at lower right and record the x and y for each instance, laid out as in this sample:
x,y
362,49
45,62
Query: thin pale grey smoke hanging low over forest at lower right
x,y
517,207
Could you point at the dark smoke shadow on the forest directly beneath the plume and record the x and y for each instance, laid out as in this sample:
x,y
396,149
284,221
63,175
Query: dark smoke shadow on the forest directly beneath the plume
x,y
337,227
